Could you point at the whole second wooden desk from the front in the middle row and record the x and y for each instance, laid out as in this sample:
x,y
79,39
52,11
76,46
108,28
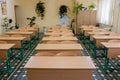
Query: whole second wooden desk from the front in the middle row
x,y
56,48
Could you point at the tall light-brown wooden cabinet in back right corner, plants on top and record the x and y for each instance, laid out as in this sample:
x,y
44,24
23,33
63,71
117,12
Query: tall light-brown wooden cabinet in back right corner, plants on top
x,y
87,17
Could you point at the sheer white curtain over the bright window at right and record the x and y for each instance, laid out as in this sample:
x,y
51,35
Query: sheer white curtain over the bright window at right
x,y
105,15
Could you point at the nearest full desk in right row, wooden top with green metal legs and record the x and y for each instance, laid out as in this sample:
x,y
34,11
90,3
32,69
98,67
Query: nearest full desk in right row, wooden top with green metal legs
x,y
112,50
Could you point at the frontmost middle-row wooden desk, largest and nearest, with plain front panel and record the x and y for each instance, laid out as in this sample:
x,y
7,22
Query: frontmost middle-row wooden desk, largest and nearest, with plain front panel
x,y
59,68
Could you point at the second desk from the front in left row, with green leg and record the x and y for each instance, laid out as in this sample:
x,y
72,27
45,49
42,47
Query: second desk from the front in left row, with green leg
x,y
18,41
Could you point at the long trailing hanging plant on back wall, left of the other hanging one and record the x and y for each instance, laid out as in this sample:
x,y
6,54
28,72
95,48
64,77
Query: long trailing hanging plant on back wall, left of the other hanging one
x,y
40,9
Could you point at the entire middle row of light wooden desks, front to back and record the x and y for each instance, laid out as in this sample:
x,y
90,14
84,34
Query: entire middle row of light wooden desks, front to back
x,y
59,67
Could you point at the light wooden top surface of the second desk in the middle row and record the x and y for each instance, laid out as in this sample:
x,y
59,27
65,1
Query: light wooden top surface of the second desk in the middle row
x,y
59,47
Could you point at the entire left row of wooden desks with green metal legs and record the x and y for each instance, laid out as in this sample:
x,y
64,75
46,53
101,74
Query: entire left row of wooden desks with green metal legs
x,y
15,39
